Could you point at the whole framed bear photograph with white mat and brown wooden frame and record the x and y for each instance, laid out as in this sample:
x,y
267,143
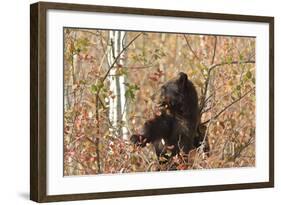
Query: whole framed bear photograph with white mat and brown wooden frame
x,y
133,102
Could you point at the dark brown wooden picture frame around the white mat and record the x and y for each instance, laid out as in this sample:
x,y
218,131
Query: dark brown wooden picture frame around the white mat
x,y
38,102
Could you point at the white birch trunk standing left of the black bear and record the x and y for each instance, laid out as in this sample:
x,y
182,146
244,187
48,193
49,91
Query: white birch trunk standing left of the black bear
x,y
117,105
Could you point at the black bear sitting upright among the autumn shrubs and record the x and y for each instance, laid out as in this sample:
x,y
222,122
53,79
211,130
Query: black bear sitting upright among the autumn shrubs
x,y
177,122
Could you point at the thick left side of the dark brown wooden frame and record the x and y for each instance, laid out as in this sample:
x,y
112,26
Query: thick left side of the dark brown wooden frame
x,y
37,102
